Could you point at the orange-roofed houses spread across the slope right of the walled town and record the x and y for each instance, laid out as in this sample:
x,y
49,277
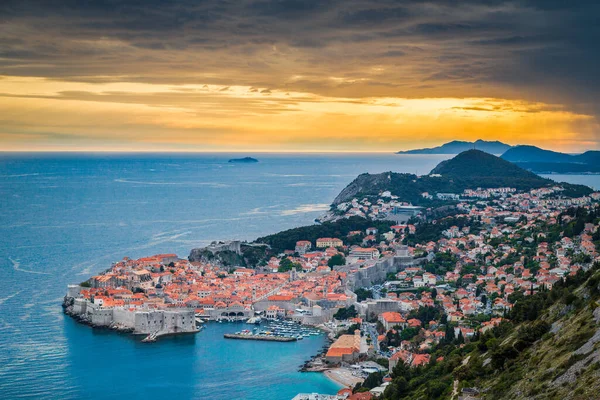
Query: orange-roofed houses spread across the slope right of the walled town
x,y
473,294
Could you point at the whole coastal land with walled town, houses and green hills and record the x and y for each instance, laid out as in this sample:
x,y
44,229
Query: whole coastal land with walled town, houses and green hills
x,y
490,285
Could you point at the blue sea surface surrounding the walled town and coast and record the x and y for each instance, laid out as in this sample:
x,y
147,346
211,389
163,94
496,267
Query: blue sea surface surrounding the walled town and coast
x,y
65,217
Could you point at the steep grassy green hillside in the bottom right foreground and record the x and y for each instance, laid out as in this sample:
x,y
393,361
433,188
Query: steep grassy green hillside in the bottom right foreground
x,y
548,350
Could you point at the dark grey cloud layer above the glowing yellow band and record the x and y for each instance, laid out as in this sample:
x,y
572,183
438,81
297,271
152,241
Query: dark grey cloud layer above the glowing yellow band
x,y
544,50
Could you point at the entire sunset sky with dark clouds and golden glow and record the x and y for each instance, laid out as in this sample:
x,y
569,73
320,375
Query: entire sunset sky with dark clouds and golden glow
x,y
298,75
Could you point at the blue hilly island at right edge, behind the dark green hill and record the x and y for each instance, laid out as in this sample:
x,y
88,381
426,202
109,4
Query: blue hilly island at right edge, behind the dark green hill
x,y
547,161
